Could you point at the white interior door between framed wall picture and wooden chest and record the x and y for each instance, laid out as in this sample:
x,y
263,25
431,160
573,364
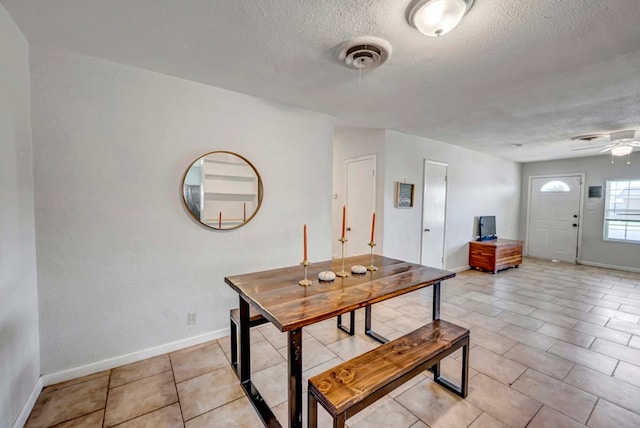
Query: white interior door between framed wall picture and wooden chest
x,y
433,214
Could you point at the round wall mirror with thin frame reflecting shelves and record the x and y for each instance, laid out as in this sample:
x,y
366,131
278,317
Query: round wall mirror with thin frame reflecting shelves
x,y
222,190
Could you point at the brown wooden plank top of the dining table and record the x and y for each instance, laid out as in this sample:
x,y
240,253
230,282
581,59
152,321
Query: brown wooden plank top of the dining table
x,y
277,295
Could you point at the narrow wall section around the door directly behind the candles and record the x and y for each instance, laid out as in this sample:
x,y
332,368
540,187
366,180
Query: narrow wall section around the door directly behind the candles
x,y
349,143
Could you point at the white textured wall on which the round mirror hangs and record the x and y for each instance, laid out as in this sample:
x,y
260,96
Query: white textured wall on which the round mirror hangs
x,y
120,262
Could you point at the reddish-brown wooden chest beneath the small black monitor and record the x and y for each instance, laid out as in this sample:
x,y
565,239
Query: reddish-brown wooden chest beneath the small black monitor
x,y
495,255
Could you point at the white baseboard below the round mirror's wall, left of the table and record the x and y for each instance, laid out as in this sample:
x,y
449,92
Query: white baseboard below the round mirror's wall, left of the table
x,y
110,363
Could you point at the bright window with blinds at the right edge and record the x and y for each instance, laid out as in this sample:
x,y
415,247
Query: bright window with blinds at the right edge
x,y
622,211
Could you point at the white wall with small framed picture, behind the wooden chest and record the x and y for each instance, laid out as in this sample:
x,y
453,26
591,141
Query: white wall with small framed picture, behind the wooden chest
x,y
478,184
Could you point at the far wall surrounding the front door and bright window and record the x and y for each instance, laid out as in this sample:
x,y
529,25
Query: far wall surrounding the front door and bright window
x,y
597,169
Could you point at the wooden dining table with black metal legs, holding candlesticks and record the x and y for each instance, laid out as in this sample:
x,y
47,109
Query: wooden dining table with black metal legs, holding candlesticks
x,y
290,307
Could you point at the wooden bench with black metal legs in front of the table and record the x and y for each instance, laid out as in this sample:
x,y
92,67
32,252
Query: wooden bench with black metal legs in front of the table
x,y
353,385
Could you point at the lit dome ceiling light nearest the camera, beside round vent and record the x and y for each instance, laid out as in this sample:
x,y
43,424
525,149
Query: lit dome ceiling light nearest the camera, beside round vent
x,y
437,17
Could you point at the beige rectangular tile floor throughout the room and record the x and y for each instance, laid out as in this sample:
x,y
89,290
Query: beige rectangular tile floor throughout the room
x,y
553,345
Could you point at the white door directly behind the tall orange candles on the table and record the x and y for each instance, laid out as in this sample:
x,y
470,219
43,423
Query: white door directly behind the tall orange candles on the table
x,y
361,202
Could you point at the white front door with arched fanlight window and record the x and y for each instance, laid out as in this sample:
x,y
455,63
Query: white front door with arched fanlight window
x,y
554,217
